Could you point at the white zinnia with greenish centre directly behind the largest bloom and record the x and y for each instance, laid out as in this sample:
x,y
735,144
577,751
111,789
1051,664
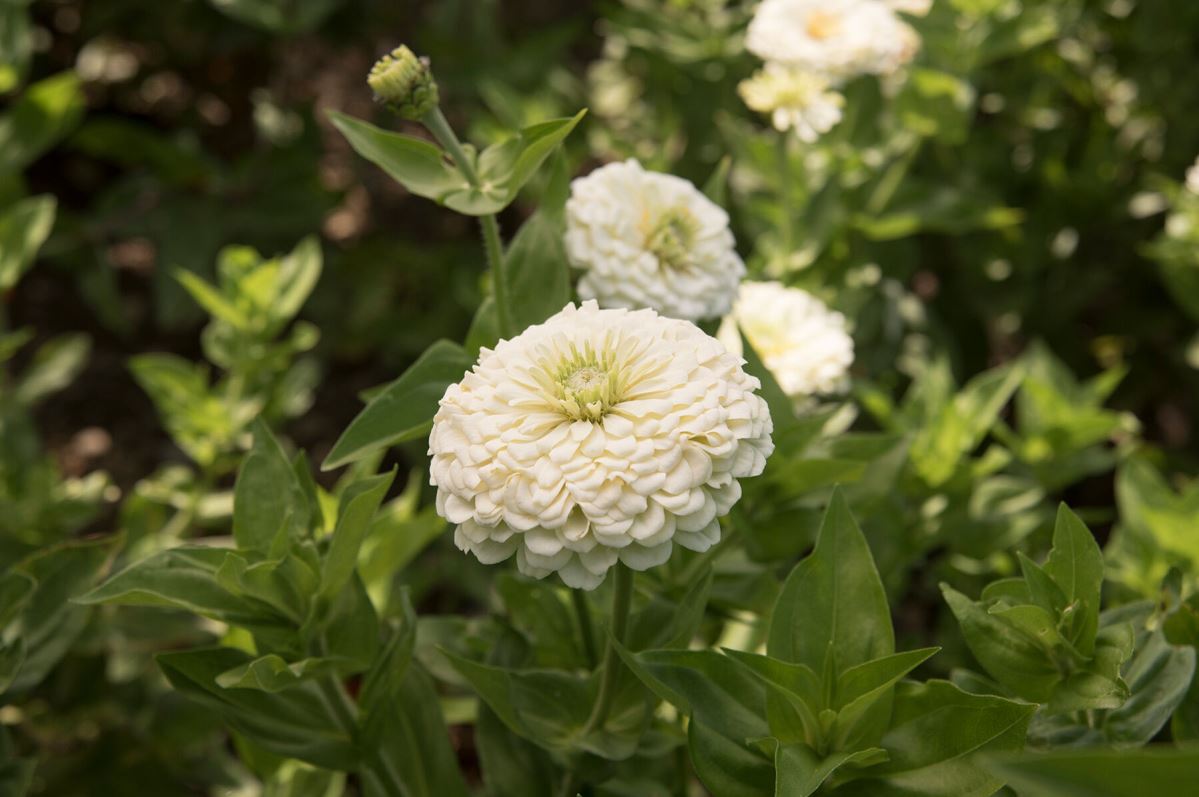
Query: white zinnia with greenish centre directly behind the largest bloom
x,y
652,240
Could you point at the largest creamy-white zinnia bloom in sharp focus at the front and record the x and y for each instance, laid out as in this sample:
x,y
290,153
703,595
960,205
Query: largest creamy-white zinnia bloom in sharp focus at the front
x,y
599,436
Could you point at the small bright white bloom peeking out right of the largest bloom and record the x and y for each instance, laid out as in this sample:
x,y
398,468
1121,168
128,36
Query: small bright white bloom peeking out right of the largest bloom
x,y
803,343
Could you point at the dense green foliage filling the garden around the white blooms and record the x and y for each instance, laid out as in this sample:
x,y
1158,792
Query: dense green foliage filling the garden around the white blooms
x,y
975,573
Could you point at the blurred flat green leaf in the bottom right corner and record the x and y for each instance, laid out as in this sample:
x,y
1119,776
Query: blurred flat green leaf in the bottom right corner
x,y
1105,772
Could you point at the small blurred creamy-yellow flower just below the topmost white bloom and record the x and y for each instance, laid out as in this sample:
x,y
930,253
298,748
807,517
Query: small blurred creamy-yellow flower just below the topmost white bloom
x,y
794,99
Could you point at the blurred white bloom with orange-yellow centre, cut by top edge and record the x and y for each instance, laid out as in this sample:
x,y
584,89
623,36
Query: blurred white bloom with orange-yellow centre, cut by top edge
x,y
839,38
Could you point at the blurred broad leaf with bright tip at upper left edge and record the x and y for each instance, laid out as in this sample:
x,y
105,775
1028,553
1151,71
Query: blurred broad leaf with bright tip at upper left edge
x,y
44,116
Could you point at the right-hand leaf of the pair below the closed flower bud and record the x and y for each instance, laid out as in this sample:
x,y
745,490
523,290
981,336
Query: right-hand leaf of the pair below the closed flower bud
x,y
507,167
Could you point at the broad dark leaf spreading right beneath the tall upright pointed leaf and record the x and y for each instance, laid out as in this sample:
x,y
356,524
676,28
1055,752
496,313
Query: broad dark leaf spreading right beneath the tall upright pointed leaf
x,y
936,732
